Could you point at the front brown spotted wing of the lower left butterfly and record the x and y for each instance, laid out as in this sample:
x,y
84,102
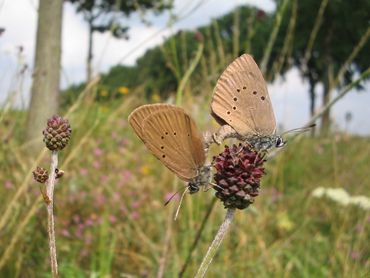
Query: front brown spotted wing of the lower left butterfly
x,y
172,136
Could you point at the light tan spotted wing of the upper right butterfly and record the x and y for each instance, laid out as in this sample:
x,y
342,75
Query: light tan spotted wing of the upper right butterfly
x,y
241,99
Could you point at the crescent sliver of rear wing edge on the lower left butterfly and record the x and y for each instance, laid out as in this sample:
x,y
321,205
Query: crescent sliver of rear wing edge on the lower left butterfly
x,y
137,117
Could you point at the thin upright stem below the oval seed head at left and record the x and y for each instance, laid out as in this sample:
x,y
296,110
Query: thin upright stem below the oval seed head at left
x,y
49,206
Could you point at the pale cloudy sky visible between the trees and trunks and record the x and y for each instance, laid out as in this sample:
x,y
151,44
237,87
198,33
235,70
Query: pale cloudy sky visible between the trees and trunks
x,y
19,18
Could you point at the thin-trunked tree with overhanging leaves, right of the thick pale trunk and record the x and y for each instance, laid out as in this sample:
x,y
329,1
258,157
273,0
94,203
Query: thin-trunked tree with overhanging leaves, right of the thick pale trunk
x,y
107,15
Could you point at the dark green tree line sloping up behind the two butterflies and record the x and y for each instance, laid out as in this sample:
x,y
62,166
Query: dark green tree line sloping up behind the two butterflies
x,y
161,68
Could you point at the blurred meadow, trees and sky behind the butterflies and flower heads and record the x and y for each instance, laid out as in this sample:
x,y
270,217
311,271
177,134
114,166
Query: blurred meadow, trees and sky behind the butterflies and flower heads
x,y
94,61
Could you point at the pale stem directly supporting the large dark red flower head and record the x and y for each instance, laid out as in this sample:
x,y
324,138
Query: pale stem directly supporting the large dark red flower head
x,y
207,260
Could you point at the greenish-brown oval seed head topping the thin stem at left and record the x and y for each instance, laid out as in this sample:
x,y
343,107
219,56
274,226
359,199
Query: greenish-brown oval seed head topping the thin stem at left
x,y
57,133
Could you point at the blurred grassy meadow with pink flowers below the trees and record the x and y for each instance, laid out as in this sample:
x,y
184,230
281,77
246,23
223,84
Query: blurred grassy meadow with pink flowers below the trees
x,y
110,218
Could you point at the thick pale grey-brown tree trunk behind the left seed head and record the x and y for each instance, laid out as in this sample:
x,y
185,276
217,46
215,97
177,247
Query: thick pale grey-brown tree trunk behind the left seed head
x,y
46,75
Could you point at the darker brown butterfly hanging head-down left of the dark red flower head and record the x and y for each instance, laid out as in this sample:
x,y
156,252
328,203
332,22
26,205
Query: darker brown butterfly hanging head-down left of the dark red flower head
x,y
172,136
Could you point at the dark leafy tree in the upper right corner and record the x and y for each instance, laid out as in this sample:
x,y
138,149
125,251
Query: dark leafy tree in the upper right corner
x,y
337,52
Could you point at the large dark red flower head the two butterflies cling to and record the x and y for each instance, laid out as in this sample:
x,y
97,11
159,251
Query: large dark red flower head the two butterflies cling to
x,y
239,171
